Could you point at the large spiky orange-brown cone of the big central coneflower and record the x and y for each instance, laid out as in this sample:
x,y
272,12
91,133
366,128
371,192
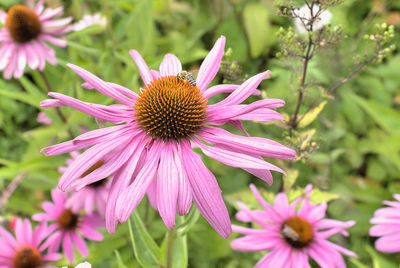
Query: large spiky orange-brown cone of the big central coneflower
x,y
171,109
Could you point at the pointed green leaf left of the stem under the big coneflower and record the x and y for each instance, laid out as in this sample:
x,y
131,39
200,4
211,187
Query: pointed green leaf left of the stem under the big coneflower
x,y
146,251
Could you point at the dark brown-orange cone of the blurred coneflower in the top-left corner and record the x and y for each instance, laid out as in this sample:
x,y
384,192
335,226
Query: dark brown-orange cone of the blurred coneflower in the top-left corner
x,y
23,24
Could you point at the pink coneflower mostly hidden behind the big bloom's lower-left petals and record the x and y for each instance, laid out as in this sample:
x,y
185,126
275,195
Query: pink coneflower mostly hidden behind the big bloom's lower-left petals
x,y
91,197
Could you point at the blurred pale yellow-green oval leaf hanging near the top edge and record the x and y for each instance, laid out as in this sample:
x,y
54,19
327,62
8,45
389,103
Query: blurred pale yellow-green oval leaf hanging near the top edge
x,y
256,23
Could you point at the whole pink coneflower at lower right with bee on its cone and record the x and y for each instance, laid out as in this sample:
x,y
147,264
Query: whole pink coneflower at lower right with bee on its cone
x,y
291,236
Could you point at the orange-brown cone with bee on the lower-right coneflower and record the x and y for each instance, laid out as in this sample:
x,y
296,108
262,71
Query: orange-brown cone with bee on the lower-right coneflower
x,y
297,232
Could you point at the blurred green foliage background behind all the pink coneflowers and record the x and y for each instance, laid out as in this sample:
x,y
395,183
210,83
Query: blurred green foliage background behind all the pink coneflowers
x,y
358,132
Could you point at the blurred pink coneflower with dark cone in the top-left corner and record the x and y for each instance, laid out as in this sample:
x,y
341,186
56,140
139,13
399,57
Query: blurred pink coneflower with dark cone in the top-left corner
x,y
23,37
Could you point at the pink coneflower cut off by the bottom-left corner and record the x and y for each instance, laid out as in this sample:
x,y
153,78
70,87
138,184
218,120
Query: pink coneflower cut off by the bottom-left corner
x,y
28,247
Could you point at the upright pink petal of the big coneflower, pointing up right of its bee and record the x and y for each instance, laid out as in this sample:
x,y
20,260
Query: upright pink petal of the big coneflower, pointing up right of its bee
x,y
210,65
